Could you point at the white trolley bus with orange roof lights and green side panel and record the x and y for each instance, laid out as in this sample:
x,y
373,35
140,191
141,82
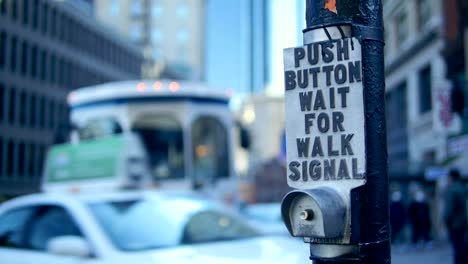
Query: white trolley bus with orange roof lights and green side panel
x,y
161,134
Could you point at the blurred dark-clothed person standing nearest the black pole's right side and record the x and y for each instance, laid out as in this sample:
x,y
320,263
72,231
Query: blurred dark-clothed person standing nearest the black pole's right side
x,y
397,216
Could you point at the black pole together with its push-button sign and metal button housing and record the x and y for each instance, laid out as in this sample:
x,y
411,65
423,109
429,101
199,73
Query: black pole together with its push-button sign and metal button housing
x,y
335,134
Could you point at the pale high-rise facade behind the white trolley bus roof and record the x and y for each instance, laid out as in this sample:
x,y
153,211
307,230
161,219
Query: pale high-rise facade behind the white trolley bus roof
x,y
170,33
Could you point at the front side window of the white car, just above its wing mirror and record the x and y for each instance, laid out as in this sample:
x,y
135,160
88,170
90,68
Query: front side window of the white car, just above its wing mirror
x,y
50,222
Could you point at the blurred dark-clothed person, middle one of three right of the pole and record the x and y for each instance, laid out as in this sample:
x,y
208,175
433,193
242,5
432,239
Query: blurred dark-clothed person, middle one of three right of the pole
x,y
420,218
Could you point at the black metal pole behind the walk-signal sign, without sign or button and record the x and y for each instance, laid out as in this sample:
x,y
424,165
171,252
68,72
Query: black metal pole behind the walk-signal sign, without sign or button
x,y
365,17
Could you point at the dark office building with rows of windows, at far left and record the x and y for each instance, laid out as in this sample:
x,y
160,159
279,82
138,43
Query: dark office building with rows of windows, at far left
x,y
47,49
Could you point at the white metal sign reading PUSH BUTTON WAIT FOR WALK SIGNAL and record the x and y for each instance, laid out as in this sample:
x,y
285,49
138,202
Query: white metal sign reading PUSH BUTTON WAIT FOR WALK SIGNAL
x,y
325,130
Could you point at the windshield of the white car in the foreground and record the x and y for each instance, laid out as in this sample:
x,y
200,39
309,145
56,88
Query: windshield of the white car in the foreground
x,y
147,224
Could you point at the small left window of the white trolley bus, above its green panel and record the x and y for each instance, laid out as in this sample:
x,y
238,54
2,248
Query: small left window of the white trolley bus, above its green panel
x,y
98,128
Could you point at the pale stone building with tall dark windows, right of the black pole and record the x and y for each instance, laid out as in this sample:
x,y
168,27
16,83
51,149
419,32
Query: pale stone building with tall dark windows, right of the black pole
x,y
416,87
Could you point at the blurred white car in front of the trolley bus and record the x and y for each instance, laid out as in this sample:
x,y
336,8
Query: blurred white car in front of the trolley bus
x,y
136,228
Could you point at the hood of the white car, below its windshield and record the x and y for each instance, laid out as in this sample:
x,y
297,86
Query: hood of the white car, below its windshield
x,y
271,249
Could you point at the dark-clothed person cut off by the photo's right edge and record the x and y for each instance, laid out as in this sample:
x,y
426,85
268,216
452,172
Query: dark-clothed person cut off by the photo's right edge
x,y
455,216
